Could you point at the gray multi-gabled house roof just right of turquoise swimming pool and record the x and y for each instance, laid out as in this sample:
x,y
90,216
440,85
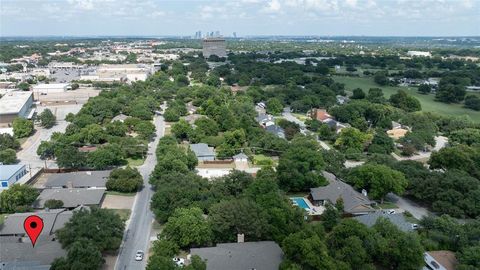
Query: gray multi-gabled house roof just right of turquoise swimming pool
x,y
354,202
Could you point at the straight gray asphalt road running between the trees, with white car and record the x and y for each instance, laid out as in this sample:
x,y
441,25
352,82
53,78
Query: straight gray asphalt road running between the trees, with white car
x,y
137,235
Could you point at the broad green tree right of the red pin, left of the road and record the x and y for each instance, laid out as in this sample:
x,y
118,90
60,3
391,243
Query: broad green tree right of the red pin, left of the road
x,y
102,226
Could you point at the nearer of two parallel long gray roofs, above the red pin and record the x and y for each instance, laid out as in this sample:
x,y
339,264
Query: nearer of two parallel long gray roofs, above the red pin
x,y
71,197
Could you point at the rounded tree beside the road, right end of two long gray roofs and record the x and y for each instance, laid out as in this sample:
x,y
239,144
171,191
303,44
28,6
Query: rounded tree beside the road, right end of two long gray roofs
x,y
124,180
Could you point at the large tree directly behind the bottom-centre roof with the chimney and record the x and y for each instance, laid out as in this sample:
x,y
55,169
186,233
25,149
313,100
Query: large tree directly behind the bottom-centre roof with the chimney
x,y
229,218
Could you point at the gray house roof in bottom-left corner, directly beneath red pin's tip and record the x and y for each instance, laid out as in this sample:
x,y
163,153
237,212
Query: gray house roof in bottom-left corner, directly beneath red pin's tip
x,y
15,255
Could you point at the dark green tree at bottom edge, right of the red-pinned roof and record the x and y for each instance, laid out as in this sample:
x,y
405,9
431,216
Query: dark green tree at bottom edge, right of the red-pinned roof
x,y
81,255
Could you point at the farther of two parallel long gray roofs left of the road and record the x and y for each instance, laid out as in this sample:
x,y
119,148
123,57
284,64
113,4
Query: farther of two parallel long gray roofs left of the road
x,y
78,179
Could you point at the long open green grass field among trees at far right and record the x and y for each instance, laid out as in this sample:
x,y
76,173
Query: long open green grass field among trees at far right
x,y
427,101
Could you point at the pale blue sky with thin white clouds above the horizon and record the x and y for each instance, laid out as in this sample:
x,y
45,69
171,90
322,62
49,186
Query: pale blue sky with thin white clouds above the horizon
x,y
245,17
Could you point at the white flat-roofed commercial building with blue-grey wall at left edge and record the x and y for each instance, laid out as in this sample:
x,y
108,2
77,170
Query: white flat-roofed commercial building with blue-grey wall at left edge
x,y
15,104
